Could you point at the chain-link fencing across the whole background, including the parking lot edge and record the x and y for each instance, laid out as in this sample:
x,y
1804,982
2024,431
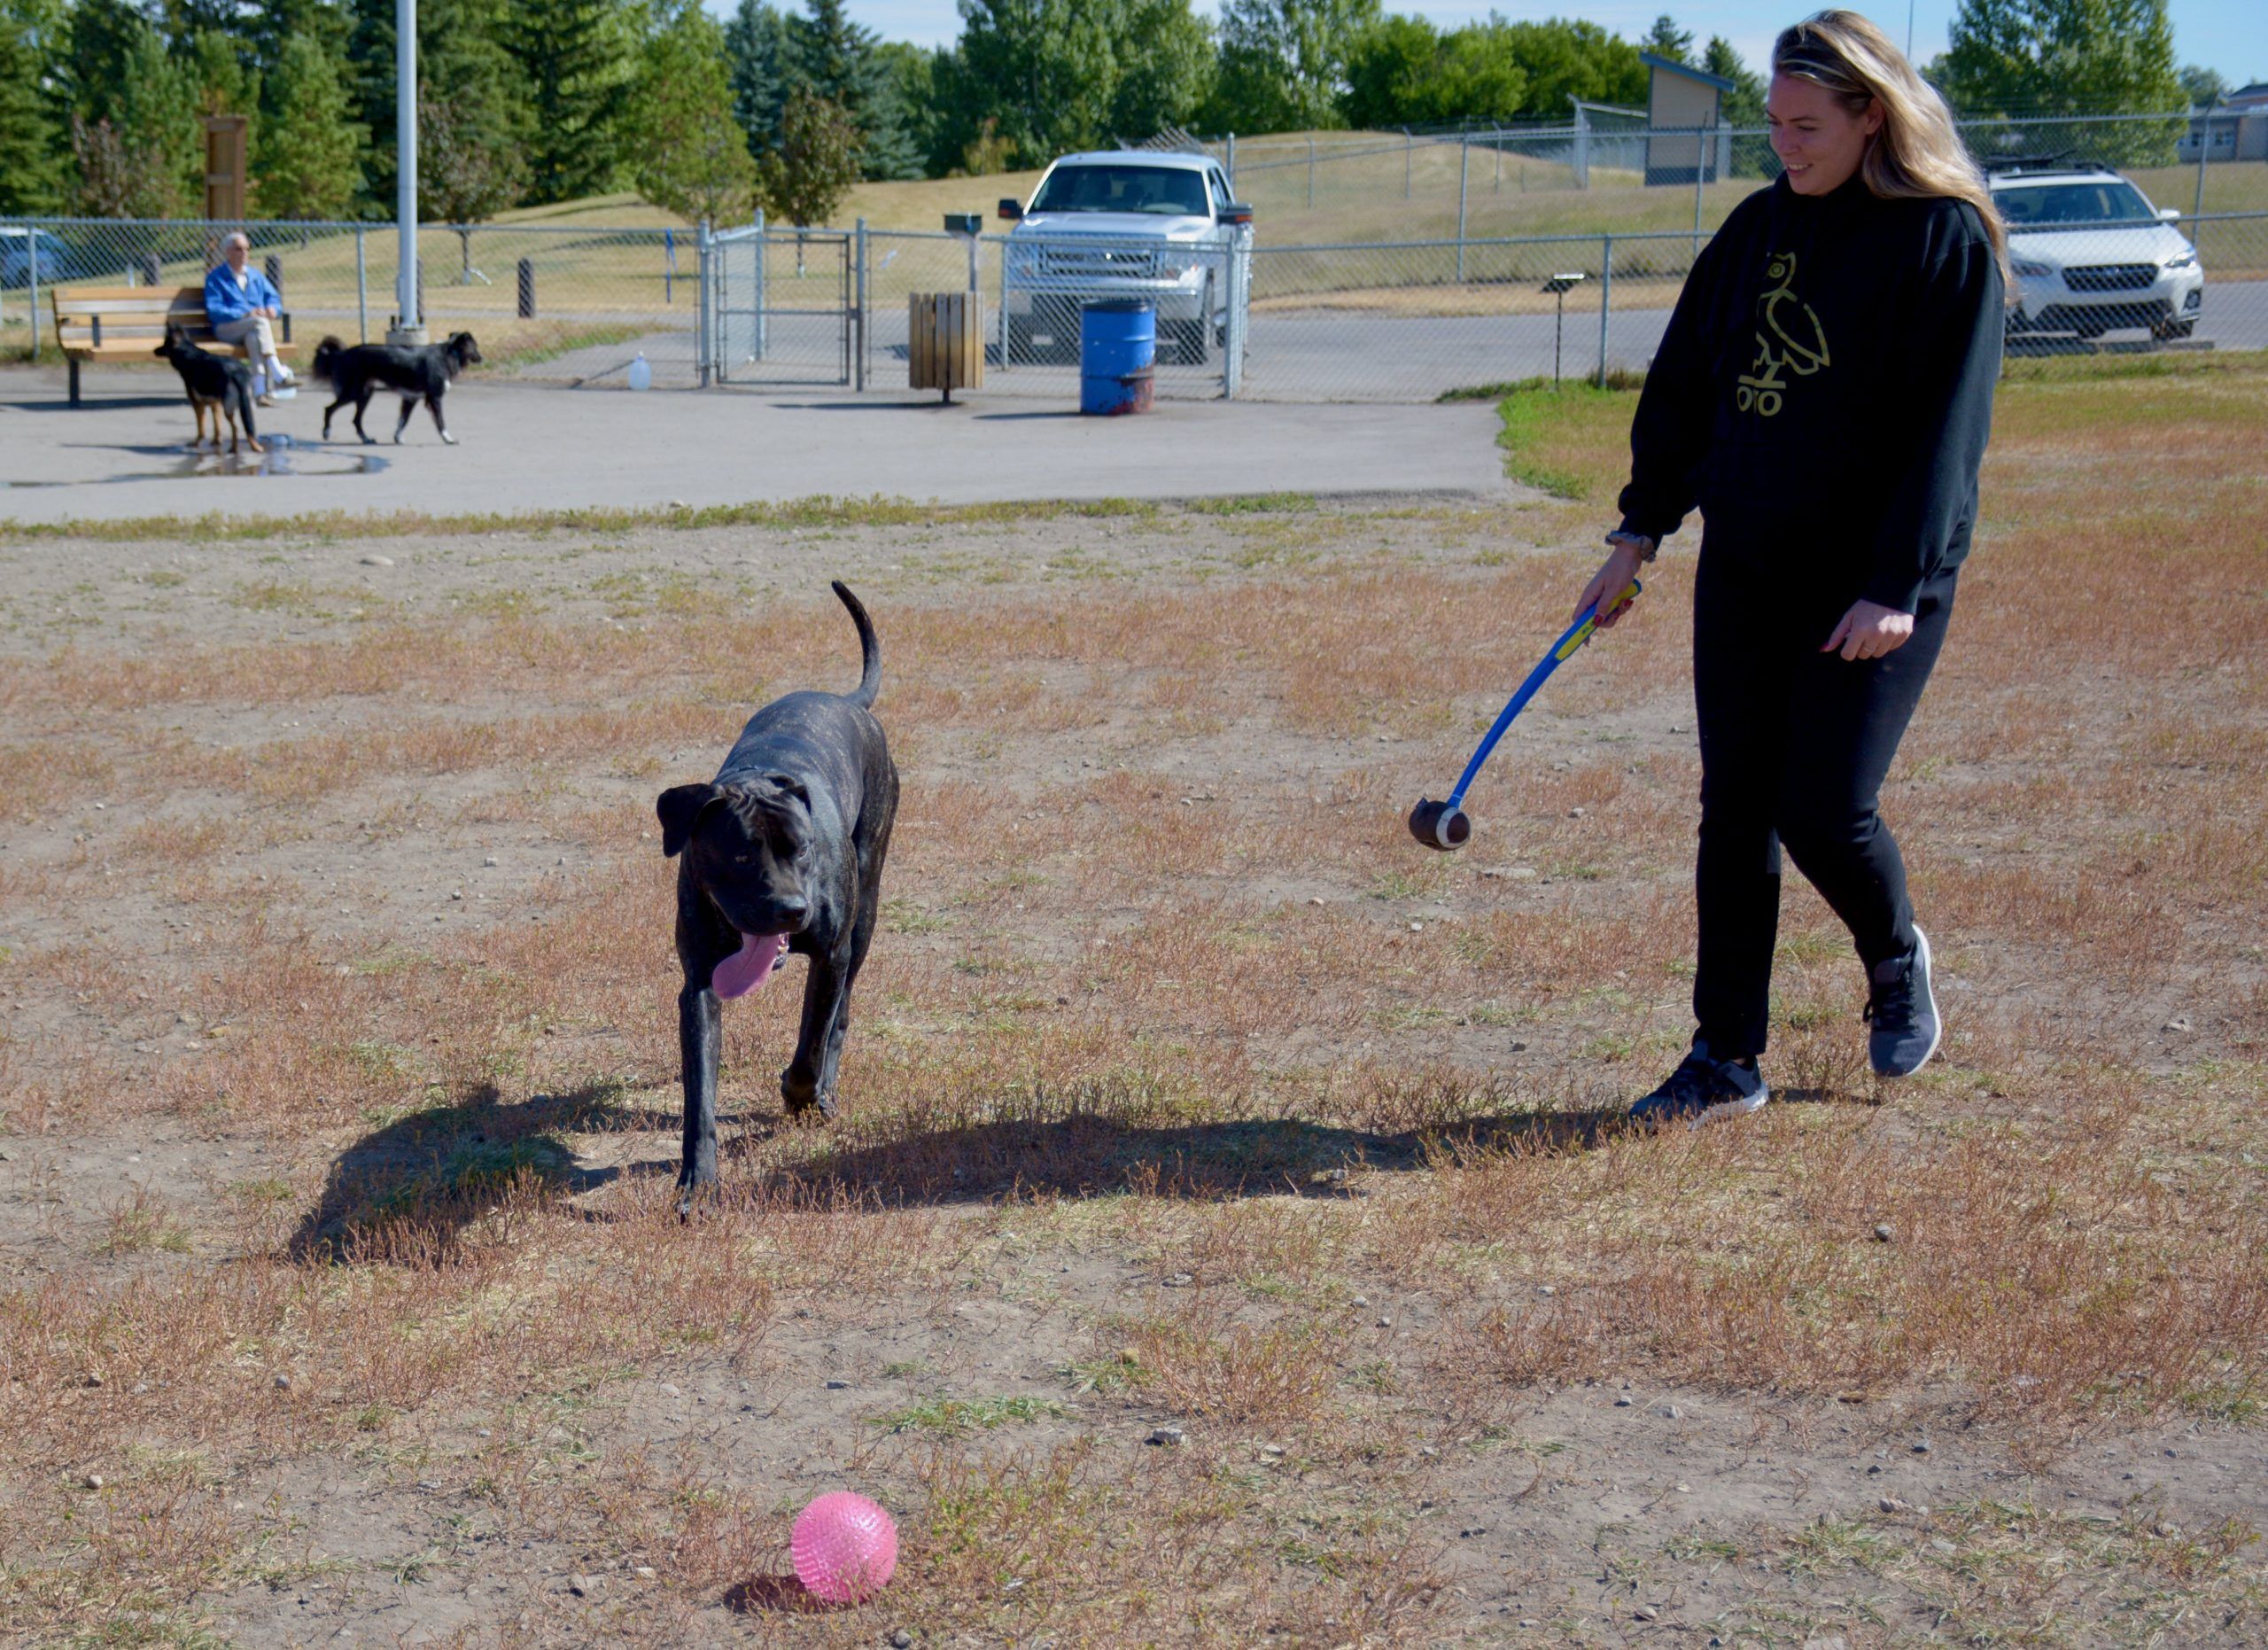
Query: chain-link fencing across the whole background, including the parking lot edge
x,y
1428,264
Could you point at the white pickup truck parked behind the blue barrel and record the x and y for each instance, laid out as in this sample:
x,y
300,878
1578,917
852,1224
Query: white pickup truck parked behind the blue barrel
x,y
1124,224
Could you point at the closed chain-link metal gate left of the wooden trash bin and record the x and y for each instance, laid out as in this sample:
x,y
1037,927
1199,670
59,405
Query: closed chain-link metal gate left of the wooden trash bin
x,y
781,308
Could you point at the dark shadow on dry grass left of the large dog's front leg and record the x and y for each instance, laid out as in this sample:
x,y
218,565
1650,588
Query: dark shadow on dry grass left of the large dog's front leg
x,y
412,1186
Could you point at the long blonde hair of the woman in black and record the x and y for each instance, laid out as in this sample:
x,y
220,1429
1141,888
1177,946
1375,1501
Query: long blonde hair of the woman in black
x,y
1918,155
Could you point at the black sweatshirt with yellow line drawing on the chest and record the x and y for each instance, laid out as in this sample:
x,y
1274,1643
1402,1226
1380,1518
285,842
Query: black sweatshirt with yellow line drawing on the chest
x,y
1825,389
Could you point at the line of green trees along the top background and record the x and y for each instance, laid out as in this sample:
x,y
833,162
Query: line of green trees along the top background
x,y
786,103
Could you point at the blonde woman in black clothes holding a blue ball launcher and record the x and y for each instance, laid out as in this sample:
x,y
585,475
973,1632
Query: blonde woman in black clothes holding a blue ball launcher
x,y
1822,396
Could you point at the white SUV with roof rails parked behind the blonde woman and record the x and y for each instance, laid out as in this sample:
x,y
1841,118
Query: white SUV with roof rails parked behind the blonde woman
x,y
2092,255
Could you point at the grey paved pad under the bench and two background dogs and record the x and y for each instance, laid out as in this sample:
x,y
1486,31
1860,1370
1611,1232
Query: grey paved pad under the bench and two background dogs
x,y
523,448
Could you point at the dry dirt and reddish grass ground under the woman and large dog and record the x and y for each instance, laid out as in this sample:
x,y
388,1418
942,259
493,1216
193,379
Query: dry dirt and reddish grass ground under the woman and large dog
x,y
339,1113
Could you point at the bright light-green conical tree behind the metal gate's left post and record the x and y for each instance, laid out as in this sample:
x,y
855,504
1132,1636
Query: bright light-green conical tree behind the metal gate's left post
x,y
688,151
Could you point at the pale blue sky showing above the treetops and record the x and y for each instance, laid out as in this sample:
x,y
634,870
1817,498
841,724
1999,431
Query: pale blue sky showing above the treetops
x,y
2226,35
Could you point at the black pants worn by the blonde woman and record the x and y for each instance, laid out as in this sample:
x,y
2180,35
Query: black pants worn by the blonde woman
x,y
1795,748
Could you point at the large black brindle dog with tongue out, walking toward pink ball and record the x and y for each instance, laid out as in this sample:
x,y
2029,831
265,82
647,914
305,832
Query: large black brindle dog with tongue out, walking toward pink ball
x,y
784,852
